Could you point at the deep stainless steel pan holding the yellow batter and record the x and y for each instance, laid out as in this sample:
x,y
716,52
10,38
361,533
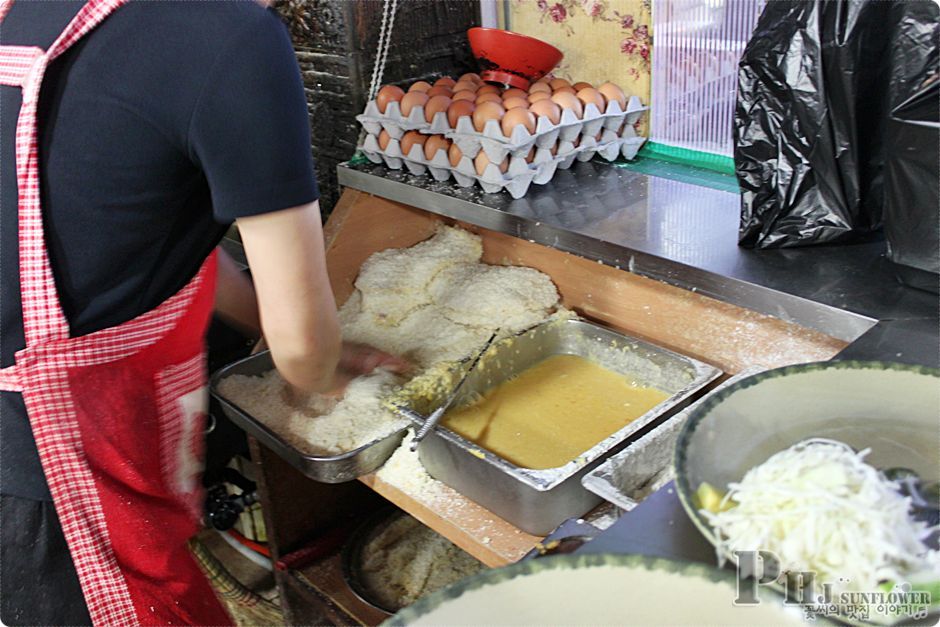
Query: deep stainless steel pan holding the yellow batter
x,y
537,501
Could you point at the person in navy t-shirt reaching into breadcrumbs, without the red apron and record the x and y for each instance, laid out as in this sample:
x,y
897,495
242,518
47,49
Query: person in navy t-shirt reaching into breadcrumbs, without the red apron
x,y
160,128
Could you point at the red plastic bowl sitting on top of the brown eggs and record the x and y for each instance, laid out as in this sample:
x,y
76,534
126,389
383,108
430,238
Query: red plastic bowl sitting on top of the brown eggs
x,y
510,58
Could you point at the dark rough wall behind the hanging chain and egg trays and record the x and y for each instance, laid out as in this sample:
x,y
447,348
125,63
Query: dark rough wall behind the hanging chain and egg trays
x,y
336,40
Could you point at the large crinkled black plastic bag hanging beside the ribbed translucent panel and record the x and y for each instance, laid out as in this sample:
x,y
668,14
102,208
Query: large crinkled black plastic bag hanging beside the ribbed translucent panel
x,y
809,122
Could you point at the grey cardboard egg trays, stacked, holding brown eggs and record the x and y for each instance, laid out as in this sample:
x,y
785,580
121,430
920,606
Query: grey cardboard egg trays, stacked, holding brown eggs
x,y
516,180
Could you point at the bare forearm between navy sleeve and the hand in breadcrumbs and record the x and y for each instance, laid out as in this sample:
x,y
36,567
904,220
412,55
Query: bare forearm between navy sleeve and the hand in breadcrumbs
x,y
297,311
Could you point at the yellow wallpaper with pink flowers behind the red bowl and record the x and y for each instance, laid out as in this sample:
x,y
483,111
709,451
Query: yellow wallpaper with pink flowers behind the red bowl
x,y
603,40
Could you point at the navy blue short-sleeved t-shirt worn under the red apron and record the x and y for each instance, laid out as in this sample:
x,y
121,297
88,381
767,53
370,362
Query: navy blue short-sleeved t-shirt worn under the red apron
x,y
157,130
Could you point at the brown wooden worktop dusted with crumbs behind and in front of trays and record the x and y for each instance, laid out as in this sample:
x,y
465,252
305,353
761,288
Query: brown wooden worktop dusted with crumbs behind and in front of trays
x,y
729,337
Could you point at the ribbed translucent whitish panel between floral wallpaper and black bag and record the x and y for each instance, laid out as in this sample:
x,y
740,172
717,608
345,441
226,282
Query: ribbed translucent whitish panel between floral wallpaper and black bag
x,y
697,44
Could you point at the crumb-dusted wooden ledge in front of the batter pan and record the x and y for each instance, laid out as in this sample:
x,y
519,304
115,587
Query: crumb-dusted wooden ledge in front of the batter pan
x,y
473,528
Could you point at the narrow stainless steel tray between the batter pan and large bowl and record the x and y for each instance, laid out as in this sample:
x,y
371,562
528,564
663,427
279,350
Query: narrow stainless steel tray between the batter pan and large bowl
x,y
644,466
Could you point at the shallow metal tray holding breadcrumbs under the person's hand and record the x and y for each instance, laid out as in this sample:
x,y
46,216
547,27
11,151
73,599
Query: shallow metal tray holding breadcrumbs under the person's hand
x,y
326,469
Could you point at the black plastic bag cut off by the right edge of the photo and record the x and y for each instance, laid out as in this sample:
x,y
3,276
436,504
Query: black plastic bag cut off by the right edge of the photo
x,y
912,145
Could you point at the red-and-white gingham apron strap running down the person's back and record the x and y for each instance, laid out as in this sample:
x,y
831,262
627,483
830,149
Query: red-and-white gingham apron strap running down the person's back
x,y
43,318
